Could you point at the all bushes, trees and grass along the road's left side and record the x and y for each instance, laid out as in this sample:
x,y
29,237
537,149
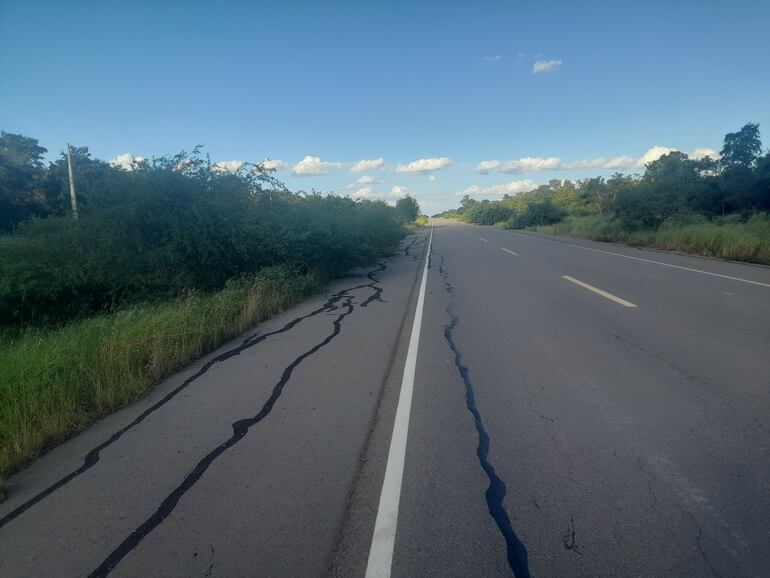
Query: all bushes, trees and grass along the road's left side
x,y
167,260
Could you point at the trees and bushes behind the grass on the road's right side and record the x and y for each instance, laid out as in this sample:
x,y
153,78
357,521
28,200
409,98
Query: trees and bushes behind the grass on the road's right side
x,y
672,189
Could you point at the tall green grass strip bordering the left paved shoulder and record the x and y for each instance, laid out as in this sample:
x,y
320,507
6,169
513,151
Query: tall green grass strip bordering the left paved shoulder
x,y
55,382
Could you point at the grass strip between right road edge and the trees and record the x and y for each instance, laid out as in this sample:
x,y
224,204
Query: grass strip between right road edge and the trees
x,y
727,238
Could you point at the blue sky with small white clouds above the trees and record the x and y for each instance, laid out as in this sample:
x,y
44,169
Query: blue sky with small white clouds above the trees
x,y
431,88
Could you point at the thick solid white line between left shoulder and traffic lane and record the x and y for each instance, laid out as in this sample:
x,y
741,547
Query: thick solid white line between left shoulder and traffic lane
x,y
381,551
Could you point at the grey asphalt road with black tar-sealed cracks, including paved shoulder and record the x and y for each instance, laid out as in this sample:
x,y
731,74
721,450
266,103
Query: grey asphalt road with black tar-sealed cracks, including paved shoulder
x,y
569,409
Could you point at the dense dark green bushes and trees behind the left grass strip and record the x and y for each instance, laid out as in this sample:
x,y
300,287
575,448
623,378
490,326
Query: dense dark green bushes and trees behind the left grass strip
x,y
166,227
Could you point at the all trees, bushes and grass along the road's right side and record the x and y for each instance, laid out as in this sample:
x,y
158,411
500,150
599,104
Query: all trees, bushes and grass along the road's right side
x,y
709,207
